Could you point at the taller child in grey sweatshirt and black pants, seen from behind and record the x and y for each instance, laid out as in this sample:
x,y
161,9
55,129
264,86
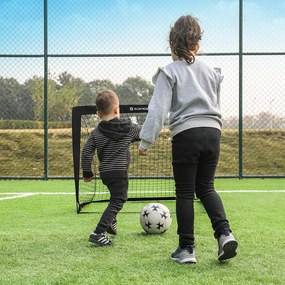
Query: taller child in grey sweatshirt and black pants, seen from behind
x,y
189,92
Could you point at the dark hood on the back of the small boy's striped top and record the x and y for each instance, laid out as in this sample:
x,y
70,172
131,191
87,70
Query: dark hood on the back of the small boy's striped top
x,y
116,128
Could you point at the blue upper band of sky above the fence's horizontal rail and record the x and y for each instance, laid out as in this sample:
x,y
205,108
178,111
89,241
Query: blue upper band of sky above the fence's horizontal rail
x,y
137,26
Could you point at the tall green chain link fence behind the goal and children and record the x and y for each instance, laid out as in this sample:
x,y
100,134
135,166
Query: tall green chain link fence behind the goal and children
x,y
57,54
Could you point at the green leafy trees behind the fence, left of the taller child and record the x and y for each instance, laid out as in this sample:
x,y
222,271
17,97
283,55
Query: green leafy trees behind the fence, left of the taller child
x,y
26,101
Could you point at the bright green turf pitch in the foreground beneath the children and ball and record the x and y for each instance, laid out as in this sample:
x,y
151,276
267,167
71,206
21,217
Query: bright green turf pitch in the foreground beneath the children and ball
x,y
44,241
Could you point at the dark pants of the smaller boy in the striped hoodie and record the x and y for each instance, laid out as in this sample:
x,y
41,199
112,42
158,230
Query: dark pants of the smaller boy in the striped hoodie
x,y
118,188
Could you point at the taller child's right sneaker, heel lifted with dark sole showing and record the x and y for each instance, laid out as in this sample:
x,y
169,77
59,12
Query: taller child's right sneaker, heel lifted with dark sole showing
x,y
227,246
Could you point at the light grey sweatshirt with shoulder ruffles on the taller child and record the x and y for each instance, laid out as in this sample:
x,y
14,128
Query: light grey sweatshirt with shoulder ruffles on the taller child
x,y
189,94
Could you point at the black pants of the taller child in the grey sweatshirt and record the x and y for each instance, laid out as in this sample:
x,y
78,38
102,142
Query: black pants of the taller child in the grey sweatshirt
x,y
195,155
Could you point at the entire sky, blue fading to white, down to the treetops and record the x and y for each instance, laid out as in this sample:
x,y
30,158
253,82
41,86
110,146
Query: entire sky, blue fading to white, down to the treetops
x,y
142,27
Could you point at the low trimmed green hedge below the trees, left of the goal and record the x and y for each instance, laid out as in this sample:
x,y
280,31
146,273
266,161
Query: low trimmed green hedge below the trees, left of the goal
x,y
25,124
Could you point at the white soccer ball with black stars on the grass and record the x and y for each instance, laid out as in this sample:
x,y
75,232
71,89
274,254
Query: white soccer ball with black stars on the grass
x,y
155,218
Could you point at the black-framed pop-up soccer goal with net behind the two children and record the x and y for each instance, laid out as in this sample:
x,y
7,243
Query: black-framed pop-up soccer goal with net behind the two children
x,y
150,177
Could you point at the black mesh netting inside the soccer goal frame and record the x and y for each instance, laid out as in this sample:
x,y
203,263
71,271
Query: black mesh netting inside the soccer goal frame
x,y
149,176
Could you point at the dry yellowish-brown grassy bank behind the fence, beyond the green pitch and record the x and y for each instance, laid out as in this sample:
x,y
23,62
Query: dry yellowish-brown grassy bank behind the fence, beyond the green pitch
x,y
263,153
